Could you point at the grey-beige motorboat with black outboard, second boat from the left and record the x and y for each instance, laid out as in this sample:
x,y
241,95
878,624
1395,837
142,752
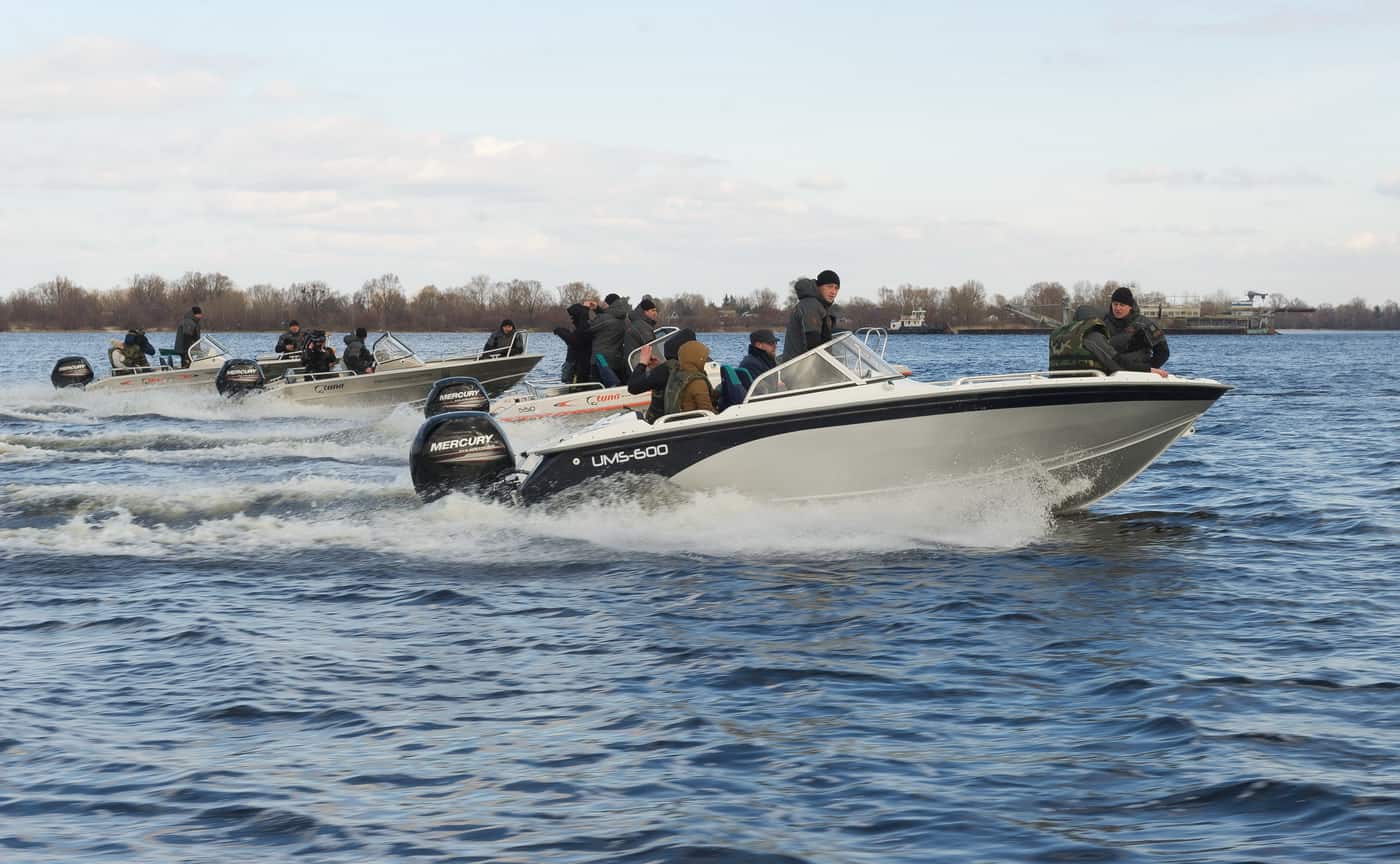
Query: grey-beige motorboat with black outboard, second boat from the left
x,y
400,376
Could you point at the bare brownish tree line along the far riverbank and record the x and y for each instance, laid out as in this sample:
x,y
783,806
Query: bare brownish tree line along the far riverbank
x,y
381,303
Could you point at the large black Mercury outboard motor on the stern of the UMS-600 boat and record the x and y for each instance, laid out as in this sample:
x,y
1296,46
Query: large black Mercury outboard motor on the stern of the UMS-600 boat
x,y
461,452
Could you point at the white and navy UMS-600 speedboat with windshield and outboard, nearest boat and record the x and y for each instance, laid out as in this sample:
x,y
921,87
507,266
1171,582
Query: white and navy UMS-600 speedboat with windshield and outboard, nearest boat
x,y
839,422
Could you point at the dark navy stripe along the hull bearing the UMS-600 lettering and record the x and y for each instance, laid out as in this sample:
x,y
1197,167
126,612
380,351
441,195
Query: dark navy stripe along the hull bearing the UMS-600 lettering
x,y
688,446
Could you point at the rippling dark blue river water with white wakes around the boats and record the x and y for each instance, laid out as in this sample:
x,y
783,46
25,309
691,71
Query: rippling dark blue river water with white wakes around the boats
x,y
233,634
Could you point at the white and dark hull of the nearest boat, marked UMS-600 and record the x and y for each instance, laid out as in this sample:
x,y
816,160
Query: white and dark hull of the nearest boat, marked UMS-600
x,y
1080,439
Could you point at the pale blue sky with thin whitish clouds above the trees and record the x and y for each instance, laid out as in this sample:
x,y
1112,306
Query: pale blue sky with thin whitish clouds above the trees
x,y
1192,148
